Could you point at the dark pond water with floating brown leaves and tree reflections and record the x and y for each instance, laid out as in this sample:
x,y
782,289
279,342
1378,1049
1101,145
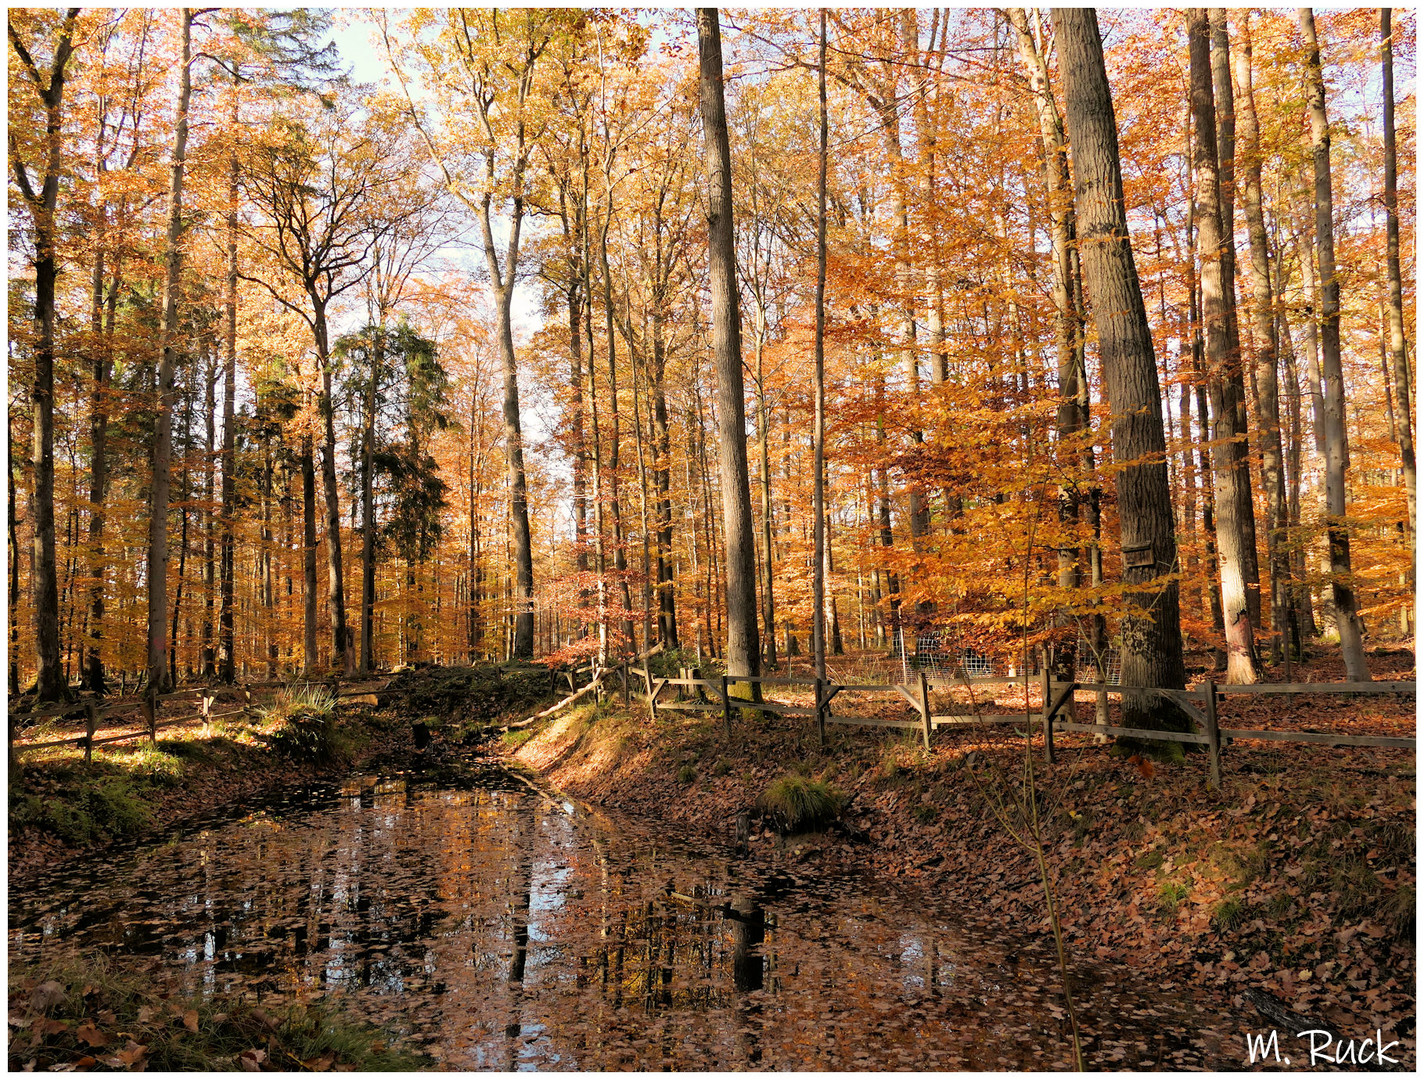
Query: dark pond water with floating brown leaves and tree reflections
x,y
496,928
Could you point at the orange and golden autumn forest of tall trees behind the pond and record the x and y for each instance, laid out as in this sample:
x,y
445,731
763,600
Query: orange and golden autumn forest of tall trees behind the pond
x,y
345,341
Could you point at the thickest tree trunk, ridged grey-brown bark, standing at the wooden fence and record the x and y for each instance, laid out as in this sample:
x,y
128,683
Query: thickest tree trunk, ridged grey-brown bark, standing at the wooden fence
x,y
1151,628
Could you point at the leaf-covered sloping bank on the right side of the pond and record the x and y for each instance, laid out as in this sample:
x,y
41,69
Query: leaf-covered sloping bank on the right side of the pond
x,y
1297,880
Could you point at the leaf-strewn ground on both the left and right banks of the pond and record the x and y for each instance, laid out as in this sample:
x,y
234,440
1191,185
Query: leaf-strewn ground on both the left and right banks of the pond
x,y
1295,881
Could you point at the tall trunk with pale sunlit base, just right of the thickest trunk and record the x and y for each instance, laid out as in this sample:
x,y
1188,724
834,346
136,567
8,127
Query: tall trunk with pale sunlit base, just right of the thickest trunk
x,y
1223,365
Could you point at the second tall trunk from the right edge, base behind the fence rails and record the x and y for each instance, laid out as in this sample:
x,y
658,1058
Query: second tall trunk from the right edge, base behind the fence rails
x,y
1342,588
